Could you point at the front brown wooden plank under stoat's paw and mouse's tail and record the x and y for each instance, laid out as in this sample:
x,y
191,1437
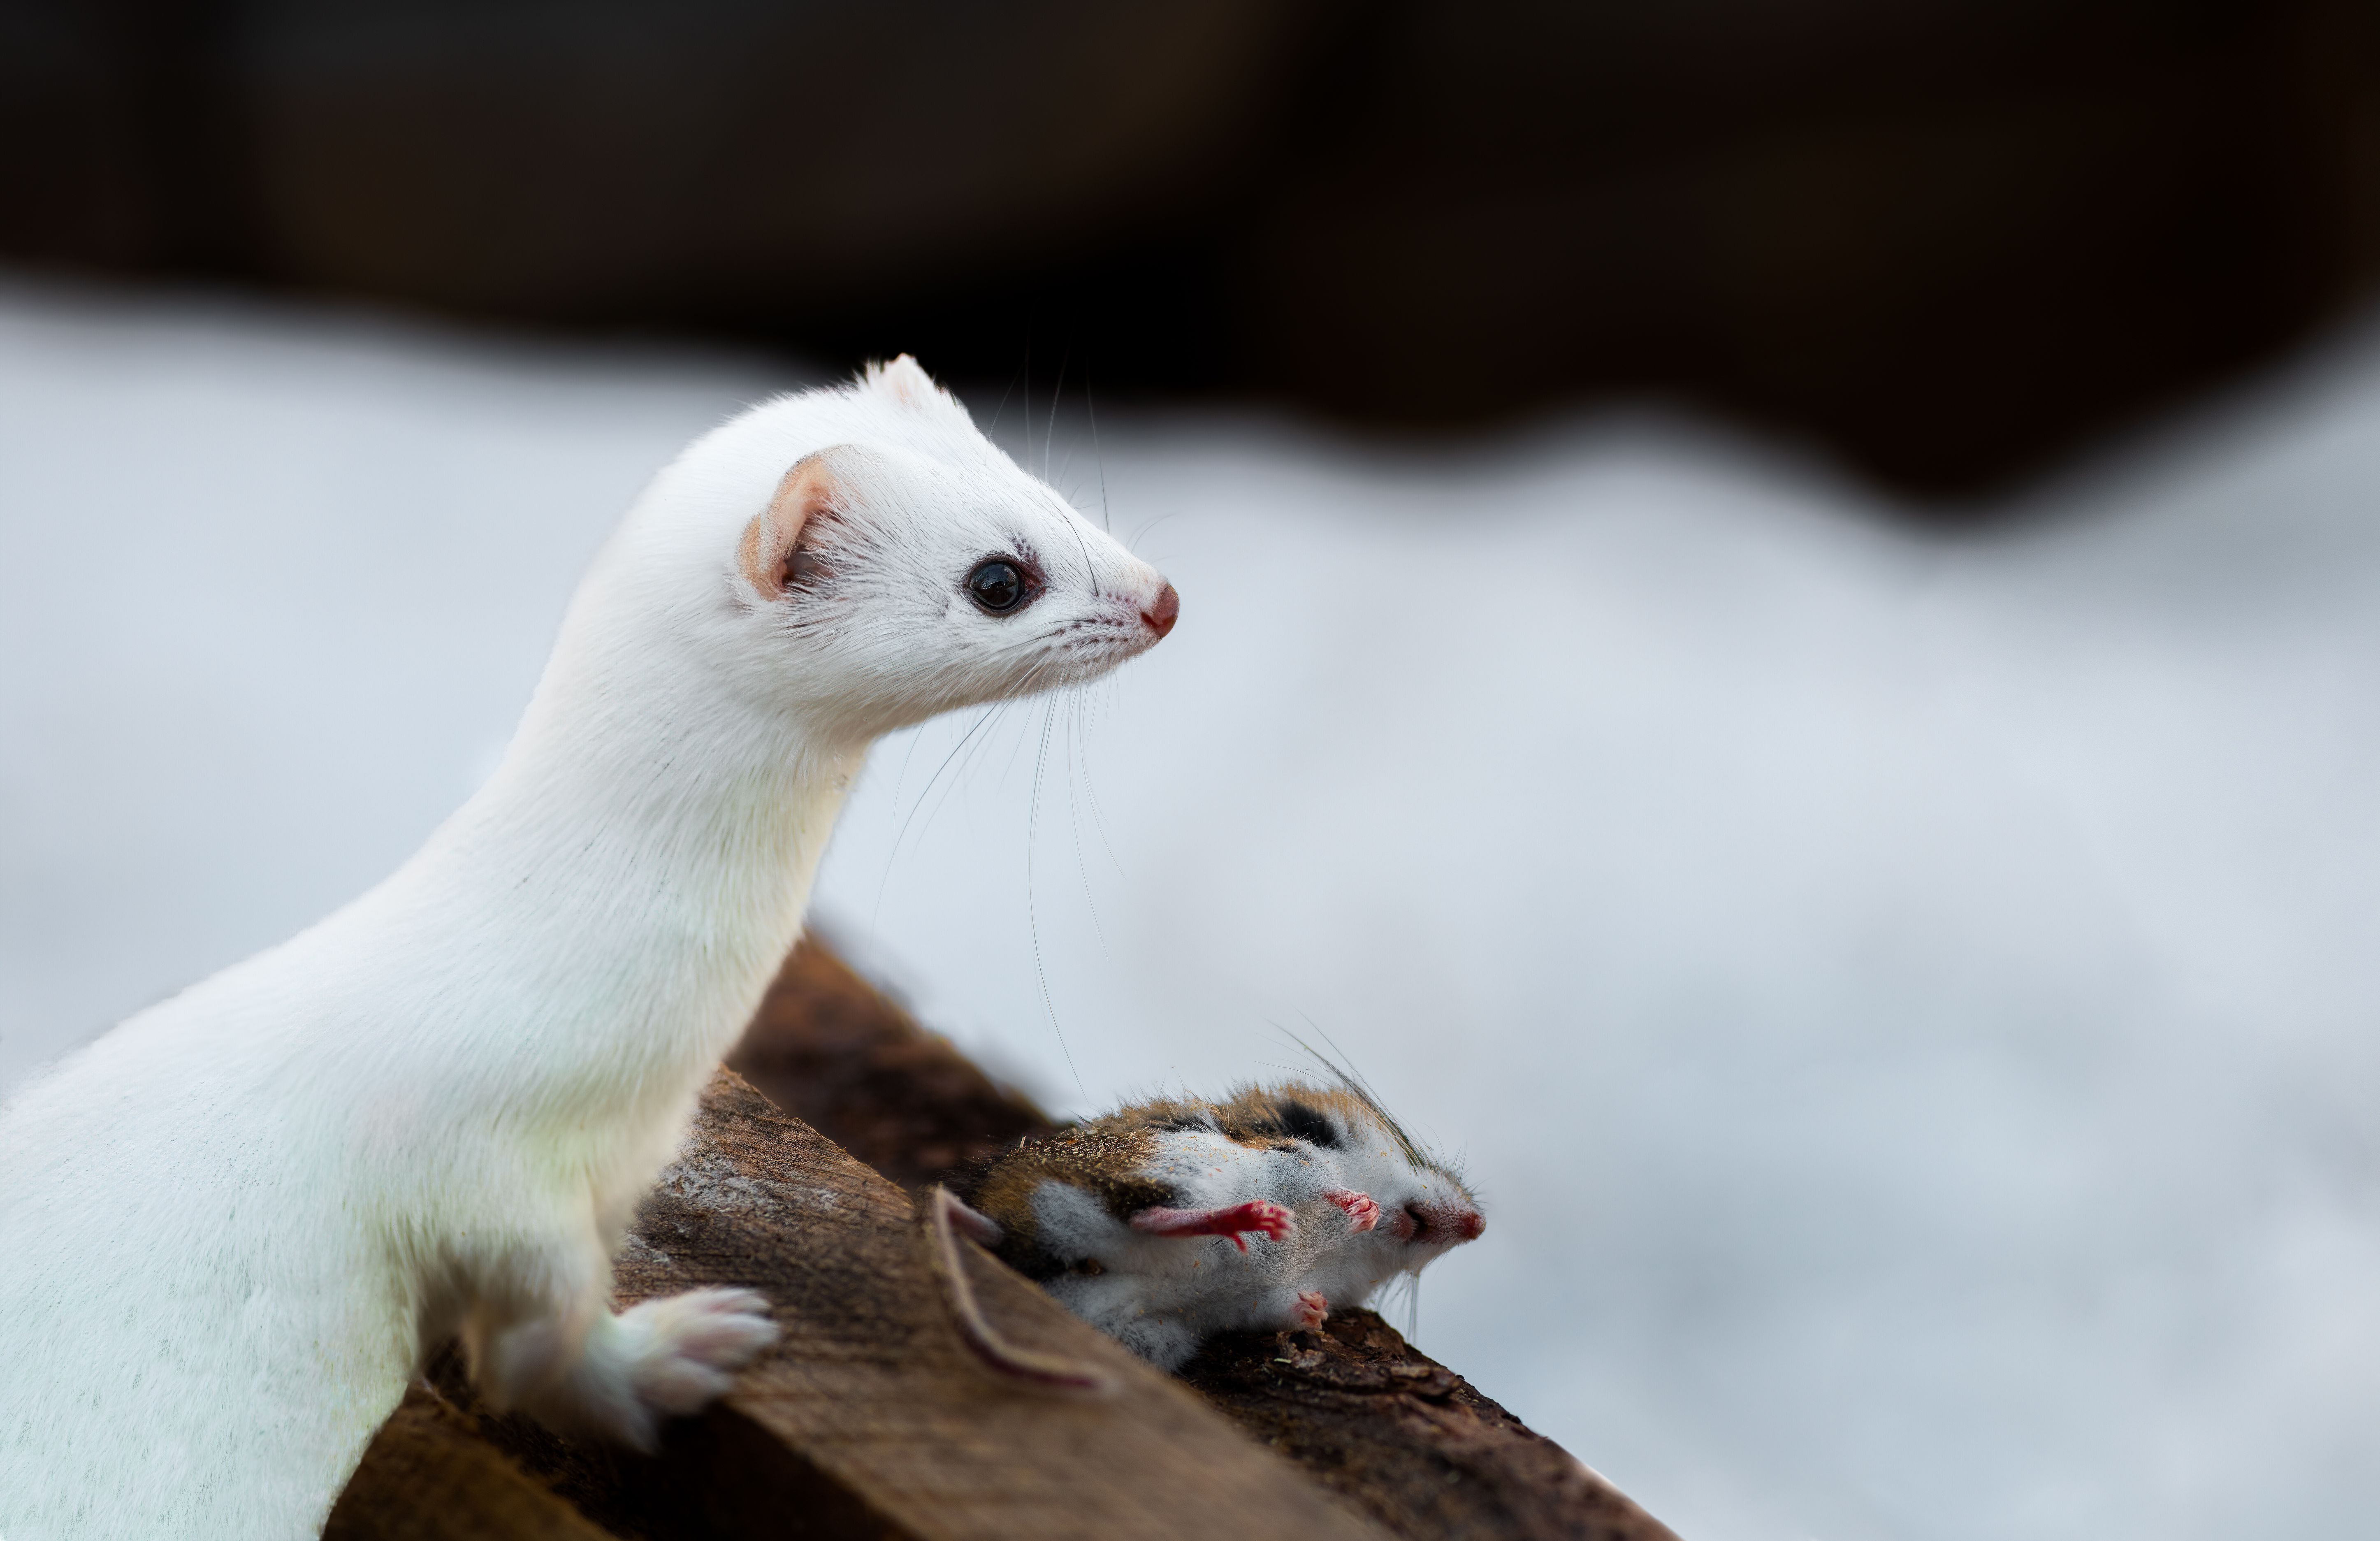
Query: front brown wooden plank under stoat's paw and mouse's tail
x,y
870,1418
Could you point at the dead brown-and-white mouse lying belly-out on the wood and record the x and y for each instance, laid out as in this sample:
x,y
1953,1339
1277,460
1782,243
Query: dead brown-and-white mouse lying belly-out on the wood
x,y
1175,1221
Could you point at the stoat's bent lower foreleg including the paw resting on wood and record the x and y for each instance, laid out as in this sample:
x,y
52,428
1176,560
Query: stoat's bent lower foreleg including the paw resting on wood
x,y
587,1371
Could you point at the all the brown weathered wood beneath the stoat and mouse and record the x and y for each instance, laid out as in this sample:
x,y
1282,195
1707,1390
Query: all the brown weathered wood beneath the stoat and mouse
x,y
872,1423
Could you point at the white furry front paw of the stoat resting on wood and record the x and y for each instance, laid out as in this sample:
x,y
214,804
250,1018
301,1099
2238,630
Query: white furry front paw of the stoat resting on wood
x,y
668,1359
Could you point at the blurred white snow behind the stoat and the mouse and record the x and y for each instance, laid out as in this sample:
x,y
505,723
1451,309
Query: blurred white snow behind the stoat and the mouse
x,y
1908,1002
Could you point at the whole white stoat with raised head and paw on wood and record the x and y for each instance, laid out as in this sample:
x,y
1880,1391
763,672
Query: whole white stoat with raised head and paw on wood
x,y
232,1228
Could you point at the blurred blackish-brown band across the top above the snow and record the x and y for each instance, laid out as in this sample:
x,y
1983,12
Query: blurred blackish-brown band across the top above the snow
x,y
1950,239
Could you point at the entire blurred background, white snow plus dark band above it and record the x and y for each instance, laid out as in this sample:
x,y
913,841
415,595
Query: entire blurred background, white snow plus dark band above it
x,y
1781,628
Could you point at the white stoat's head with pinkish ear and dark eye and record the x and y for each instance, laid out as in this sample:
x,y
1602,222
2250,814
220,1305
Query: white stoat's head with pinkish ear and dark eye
x,y
872,561
